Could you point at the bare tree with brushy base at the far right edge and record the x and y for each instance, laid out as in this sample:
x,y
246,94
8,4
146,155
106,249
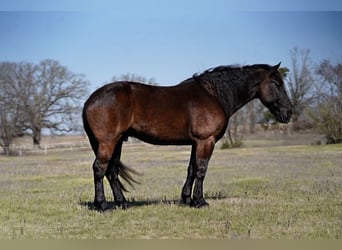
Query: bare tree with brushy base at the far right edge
x,y
328,111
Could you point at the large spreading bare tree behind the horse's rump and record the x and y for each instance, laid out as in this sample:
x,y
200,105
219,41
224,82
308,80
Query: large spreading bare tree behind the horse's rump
x,y
48,96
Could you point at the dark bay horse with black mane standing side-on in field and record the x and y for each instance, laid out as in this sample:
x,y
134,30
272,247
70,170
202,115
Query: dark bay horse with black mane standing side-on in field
x,y
194,112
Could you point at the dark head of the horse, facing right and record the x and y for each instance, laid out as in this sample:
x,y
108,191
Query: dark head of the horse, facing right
x,y
272,94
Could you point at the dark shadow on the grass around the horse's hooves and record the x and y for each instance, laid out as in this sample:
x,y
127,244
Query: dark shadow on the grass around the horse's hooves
x,y
148,202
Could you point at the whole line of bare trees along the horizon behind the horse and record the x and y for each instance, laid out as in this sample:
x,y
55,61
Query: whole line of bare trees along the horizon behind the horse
x,y
48,95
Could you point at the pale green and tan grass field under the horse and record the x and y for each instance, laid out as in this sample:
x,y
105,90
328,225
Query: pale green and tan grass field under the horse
x,y
263,192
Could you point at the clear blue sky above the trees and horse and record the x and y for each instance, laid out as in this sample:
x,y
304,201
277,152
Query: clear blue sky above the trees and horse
x,y
166,40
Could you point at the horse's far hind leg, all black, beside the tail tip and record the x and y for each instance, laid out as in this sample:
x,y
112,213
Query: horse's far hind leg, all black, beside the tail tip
x,y
112,176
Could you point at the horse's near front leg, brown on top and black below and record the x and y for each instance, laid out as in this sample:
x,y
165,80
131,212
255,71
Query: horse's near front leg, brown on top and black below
x,y
203,153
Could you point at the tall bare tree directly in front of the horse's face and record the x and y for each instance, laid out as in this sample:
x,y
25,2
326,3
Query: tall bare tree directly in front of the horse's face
x,y
299,80
